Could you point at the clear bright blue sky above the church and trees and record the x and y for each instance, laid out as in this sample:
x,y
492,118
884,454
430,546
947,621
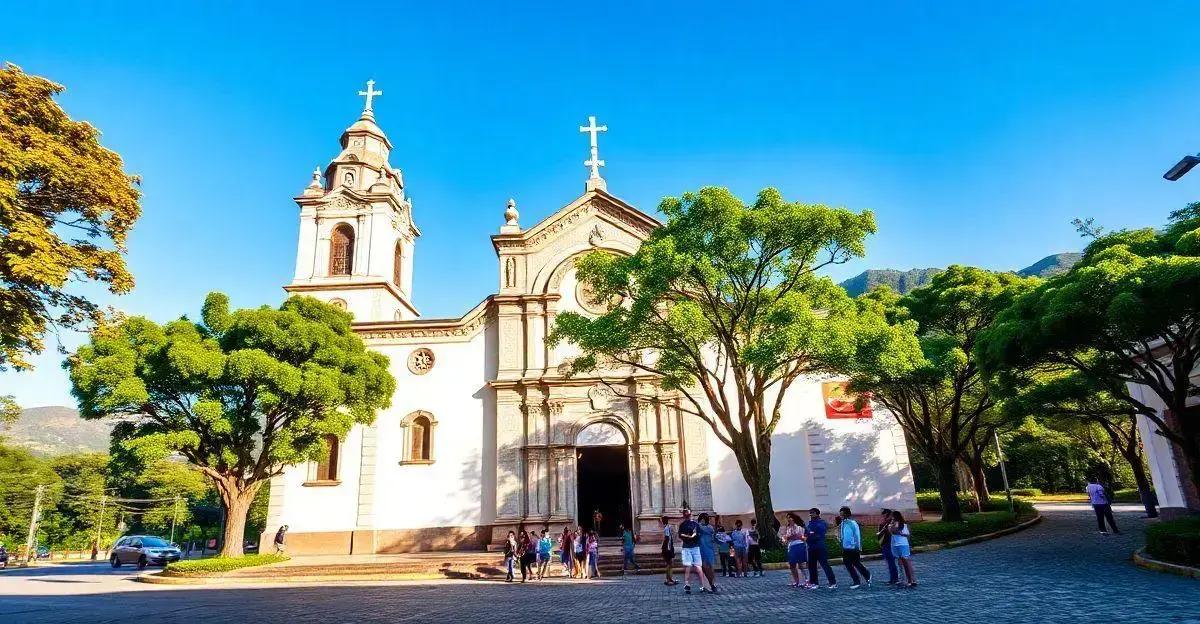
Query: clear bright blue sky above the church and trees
x,y
974,131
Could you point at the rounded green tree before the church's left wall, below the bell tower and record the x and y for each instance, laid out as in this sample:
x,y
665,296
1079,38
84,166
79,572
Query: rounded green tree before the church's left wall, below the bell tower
x,y
242,395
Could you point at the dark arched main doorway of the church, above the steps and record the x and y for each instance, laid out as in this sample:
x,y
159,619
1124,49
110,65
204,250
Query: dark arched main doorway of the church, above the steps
x,y
602,465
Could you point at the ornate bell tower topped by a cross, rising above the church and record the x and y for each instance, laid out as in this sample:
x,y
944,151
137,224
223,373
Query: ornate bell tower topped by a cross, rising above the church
x,y
357,230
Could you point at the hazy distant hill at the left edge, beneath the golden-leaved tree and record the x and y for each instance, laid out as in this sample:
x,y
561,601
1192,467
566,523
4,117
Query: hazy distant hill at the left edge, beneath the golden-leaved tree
x,y
56,431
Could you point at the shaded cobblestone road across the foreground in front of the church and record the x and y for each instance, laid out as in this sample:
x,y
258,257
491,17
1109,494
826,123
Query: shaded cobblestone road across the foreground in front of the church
x,y
1060,571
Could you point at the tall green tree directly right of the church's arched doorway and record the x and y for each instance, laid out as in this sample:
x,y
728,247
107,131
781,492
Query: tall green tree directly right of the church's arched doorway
x,y
725,307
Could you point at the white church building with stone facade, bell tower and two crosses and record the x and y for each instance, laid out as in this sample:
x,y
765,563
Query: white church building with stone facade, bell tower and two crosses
x,y
485,433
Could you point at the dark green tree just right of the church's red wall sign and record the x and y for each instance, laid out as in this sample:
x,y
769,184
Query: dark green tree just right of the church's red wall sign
x,y
943,404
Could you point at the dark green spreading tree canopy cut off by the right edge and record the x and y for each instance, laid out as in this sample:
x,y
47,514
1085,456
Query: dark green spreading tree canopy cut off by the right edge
x,y
1127,314
